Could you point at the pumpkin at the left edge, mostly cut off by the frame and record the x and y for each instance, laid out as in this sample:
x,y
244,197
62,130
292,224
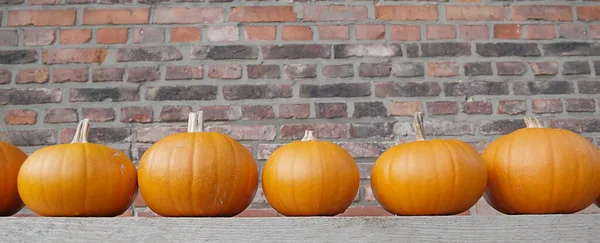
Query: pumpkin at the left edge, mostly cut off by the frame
x,y
11,158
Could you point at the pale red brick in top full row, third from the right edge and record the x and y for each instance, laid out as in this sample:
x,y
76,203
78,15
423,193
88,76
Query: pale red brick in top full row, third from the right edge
x,y
474,13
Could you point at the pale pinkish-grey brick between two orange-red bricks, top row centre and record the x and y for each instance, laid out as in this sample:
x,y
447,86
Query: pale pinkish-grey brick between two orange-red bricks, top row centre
x,y
335,13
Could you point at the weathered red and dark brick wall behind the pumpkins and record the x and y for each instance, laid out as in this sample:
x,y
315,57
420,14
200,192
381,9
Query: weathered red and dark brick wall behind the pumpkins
x,y
264,71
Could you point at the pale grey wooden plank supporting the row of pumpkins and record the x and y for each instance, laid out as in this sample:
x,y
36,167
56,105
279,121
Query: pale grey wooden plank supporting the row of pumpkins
x,y
522,228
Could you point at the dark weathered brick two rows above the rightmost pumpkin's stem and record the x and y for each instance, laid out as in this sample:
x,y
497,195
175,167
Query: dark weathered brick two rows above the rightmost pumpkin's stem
x,y
543,87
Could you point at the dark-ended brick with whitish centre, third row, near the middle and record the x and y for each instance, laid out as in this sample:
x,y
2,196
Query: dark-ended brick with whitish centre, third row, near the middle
x,y
367,50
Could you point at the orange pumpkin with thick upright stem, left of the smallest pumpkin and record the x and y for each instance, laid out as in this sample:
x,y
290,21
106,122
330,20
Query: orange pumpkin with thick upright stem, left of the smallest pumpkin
x,y
198,174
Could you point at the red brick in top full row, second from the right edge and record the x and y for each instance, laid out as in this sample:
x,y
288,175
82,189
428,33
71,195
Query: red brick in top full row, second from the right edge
x,y
541,12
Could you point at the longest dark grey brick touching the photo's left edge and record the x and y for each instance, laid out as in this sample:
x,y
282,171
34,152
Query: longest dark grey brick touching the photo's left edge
x,y
30,96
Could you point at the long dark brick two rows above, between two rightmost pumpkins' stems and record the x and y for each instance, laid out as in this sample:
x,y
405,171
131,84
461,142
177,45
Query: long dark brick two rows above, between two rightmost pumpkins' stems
x,y
475,88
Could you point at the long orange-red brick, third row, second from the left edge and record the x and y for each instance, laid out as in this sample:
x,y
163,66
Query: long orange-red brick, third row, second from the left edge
x,y
74,55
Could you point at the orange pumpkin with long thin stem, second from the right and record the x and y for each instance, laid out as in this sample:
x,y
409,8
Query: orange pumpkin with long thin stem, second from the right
x,y
428,177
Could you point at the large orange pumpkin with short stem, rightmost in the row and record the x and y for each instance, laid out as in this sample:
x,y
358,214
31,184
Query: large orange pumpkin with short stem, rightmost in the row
x,y
537,170
